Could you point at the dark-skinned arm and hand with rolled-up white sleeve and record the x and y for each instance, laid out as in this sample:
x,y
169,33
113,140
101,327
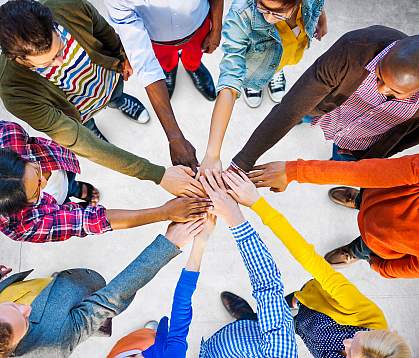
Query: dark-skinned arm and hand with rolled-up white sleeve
x,y
138,47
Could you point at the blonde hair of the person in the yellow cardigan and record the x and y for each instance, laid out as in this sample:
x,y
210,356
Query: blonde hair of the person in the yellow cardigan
x,y
384,344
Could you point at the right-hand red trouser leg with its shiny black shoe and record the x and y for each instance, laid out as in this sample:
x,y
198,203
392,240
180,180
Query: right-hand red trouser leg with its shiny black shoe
x,y
191,58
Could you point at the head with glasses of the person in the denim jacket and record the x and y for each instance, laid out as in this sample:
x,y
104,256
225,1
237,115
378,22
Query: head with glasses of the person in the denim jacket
x,y
277,10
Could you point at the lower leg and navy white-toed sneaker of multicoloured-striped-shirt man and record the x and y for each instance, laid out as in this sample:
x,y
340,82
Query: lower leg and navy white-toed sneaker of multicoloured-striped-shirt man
x,y
127,104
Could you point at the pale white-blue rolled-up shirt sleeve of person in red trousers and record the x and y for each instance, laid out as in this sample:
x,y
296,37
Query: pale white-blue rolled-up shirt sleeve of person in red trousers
x,y
135,39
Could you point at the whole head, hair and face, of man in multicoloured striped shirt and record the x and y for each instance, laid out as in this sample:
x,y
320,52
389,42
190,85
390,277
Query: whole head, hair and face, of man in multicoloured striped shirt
x,y
28,34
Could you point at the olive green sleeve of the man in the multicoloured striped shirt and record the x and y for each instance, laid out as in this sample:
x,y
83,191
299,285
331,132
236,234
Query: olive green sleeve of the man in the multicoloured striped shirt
x,y
70,133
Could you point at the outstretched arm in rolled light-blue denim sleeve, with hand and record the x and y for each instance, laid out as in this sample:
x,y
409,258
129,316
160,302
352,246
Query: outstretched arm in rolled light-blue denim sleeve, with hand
x,y
232,74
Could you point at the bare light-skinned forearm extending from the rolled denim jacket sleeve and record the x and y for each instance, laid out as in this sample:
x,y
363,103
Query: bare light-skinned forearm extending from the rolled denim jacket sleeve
x,y
219,121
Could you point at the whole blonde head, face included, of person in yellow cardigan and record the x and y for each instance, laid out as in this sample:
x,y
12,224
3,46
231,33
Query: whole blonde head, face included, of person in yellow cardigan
x,y
377,344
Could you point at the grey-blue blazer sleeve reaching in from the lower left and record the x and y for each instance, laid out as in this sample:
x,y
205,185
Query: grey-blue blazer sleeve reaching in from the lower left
x,y
87,317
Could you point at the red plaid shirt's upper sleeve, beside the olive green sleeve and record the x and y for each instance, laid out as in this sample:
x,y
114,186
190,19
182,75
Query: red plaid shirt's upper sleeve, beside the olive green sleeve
x,y
49,154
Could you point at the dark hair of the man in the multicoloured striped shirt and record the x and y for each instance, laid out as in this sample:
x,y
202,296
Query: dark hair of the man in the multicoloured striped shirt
x,y
26,28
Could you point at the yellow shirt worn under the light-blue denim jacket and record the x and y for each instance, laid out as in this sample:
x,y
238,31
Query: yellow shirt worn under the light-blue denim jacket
x,y
292,46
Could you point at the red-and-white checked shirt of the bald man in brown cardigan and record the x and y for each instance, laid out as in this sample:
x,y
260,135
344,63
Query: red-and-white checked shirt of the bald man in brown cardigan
x,y
366,115
